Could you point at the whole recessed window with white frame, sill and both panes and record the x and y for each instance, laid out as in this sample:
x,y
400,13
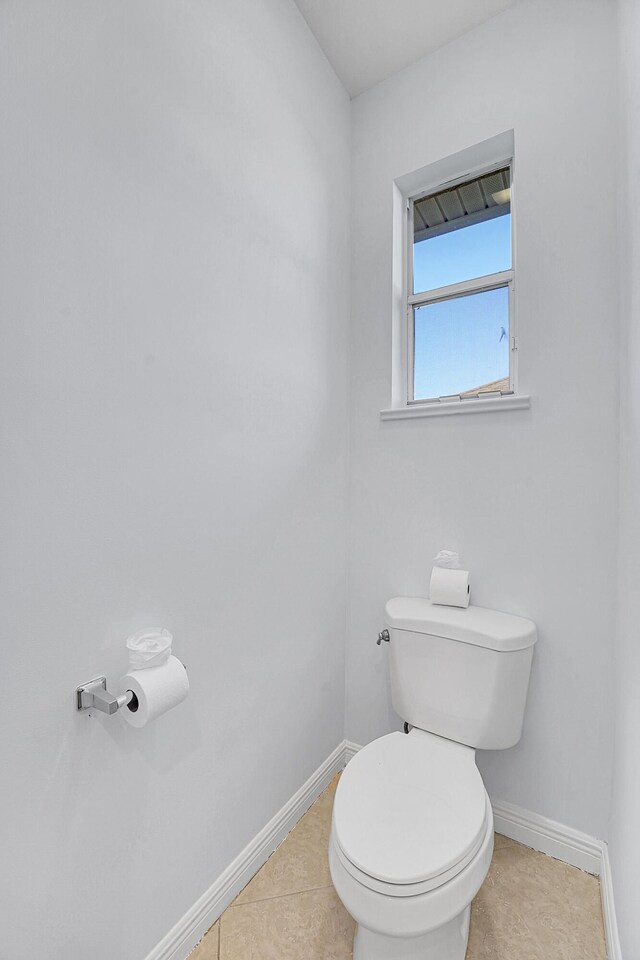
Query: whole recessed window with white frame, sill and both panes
x,y
453,336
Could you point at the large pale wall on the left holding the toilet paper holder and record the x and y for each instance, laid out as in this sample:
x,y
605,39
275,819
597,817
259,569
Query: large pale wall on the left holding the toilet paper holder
x,y
174,305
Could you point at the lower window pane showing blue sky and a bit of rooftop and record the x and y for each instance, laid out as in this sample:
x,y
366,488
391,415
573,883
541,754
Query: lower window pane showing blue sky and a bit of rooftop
x,y
462,345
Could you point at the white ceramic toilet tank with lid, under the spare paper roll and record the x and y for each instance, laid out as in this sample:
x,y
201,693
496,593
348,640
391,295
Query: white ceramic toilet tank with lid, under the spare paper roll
x,y
460,673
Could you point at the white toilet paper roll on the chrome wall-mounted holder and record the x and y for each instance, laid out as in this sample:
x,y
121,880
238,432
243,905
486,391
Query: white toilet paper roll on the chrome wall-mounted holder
x,y
157,690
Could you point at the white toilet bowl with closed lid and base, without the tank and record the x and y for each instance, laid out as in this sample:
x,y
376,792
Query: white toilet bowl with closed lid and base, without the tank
x,y
410,845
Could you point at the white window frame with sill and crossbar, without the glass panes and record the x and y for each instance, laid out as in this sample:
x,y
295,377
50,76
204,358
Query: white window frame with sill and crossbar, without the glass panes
x,y
476,161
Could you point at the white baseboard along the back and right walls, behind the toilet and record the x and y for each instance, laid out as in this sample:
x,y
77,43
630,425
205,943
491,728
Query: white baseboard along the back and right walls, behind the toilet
x,y
561,842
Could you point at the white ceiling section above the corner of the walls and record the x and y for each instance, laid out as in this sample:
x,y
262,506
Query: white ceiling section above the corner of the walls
x,y
369,40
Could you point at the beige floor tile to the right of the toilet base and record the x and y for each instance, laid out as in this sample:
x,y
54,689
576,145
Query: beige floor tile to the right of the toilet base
x,y
532,907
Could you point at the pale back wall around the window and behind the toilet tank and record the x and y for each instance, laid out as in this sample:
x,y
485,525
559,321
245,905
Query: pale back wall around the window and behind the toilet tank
x,y
529,498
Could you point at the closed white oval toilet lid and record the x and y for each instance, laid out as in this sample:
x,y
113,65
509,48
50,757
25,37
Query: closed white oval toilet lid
x,y
409,808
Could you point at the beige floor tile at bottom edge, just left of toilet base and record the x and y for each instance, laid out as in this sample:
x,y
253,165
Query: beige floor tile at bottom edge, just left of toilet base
x,y
304,926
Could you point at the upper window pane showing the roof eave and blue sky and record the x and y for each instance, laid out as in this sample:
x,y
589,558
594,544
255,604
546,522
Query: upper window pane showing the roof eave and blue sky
x,y
462,233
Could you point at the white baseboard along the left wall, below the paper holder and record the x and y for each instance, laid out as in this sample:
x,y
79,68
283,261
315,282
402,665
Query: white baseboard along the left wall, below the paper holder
x,y
190,929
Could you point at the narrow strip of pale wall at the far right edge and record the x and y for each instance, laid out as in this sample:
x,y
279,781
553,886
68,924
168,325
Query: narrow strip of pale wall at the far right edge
x,y
625,827
